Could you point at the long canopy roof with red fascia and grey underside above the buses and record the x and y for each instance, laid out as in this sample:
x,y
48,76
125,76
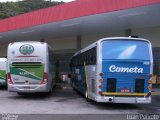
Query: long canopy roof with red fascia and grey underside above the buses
x,y
81,17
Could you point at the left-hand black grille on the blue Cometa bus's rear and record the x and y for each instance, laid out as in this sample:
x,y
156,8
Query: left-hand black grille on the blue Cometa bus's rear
x,y
111,85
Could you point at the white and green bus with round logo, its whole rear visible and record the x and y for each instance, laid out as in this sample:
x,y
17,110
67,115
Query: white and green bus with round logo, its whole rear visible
x,y
30,67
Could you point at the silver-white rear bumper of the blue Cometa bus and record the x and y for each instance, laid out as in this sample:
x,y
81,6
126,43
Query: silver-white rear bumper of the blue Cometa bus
x,y
112,99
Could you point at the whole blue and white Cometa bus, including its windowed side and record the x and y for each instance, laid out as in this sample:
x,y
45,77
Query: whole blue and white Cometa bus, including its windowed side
x,y
116,69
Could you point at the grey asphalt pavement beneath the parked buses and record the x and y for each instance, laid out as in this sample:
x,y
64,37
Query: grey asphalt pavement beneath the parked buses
x,y
65,103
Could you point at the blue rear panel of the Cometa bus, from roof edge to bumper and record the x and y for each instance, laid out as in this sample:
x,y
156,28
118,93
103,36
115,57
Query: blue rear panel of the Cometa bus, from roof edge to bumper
x,y
126,71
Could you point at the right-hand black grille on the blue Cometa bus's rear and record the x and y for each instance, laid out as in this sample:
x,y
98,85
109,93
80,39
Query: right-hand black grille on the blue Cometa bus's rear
x,y
139,86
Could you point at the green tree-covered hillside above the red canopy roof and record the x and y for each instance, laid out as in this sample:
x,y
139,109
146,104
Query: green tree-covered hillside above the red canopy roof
x,y
9,9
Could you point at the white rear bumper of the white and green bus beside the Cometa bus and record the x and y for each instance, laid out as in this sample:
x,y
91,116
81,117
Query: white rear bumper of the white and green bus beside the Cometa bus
x,y
28,88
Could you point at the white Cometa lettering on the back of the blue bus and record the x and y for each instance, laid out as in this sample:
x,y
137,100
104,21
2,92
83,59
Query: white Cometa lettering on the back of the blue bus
x,y
114,68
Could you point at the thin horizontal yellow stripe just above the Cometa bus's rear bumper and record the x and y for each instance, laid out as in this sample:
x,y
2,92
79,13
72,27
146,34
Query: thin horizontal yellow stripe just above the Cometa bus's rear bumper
x,y
124,94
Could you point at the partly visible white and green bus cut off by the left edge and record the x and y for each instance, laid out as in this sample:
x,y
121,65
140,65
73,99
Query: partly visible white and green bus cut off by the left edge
x,y
3,63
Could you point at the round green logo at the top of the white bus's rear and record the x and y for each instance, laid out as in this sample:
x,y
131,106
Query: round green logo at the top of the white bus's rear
x,y
26,49
